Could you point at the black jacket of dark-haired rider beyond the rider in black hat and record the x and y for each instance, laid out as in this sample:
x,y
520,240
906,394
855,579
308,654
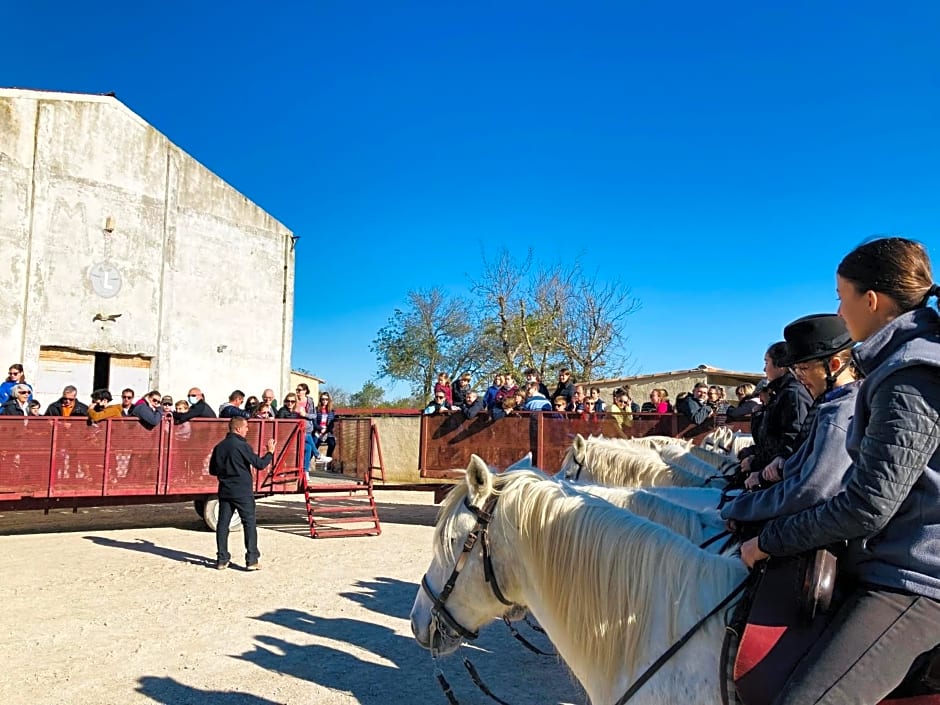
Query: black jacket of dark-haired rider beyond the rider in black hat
x,y
781,422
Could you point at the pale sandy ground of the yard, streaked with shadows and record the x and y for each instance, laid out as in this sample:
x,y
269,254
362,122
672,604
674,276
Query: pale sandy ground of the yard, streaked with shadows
x,y
121,606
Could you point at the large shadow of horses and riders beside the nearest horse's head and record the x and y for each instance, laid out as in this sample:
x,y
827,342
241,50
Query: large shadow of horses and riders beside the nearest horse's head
x,y
379,664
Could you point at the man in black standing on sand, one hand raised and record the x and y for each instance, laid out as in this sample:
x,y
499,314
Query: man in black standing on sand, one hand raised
x,y
231,462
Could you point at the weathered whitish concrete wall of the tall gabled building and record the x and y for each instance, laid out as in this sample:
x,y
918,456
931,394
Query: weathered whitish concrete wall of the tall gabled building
x,y
202,278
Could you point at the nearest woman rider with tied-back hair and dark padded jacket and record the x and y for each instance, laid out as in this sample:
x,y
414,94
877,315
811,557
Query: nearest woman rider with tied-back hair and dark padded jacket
x,y
889,512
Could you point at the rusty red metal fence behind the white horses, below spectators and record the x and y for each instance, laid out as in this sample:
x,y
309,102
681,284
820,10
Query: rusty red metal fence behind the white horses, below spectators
x,y
448,441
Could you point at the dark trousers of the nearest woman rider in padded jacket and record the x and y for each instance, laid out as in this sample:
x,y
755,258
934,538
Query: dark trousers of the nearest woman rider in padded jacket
x,y
866,651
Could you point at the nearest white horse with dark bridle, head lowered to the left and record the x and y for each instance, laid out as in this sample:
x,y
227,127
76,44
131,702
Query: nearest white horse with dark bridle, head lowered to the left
x,y
612,590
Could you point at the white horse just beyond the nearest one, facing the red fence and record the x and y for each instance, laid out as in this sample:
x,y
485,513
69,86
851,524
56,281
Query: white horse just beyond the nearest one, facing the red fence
x,y
613,463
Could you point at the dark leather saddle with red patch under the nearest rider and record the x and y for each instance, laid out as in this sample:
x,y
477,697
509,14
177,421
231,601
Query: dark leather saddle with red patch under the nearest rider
x,y
779,618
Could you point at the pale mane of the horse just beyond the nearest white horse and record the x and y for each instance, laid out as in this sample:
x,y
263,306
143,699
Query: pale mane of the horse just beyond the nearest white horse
x,y
621,466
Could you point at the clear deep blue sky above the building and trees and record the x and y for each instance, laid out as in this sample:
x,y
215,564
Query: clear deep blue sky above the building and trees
x,y
716,158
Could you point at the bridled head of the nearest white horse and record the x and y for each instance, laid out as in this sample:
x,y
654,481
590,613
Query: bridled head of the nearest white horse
x,y
459,593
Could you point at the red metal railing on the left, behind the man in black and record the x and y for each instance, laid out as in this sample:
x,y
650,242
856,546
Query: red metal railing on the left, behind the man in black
x,y
45,461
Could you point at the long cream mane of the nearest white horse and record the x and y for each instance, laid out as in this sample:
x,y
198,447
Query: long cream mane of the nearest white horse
x,y
600,572
